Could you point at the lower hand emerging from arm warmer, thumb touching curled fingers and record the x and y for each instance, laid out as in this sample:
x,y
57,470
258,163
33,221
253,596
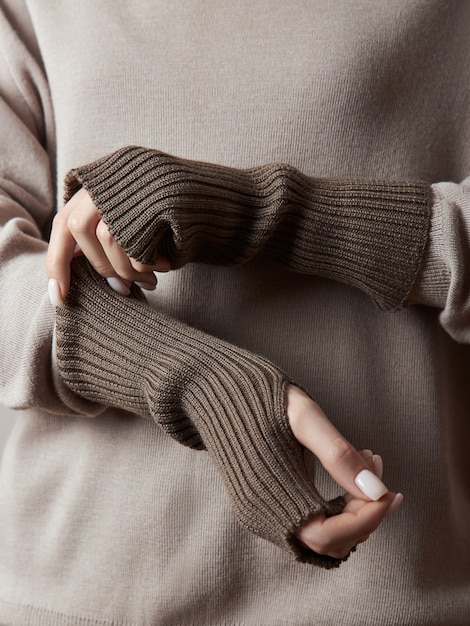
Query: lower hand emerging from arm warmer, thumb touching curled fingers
x,y
368,501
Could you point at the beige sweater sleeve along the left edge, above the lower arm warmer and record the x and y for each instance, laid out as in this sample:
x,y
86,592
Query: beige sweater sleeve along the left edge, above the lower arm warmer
x,y
27,201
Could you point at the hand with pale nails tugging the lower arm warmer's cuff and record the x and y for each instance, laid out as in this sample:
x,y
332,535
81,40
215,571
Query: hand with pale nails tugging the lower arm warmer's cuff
x,y
79,229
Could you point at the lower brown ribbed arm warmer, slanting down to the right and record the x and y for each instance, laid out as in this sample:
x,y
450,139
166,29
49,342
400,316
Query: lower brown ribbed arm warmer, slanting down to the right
x,y
203,391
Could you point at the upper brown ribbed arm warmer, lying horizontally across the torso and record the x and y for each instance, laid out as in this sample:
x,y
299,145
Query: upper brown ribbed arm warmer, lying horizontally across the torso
x,y
365,233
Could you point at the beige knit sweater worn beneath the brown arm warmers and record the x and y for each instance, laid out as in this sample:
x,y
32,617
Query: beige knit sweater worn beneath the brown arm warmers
x,y
106,519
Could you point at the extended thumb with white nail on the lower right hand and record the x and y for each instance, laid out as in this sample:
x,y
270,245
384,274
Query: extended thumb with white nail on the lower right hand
x,y
341,460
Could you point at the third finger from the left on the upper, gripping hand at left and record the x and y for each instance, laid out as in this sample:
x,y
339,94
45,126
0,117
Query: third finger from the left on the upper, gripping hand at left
x,y
119,261
